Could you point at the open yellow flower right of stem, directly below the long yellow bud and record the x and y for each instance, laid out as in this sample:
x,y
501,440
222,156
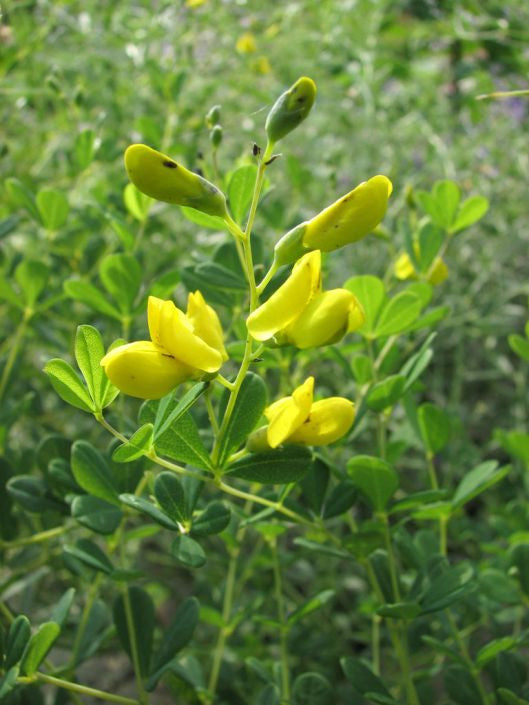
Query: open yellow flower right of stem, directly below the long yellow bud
x,y
300,314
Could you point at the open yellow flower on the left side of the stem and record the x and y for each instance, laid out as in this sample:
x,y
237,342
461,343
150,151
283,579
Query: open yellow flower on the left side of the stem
x,y
183,346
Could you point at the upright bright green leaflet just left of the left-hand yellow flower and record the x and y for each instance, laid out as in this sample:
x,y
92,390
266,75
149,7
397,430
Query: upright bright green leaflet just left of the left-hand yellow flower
x,y
89,352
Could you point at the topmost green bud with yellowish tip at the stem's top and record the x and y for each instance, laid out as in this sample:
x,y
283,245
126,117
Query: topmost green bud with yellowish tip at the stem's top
x,y
290,109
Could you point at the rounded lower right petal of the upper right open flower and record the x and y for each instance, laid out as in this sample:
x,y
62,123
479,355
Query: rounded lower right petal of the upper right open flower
x,y
325,319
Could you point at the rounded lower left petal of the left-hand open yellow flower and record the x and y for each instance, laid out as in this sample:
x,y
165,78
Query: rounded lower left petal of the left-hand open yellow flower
x,y
143,369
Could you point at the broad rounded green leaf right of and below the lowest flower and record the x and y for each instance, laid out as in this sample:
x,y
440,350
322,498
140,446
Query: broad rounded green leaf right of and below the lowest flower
x,y
375,478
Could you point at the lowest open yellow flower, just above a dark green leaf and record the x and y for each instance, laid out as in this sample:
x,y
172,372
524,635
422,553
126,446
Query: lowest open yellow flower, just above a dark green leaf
x,y
299,419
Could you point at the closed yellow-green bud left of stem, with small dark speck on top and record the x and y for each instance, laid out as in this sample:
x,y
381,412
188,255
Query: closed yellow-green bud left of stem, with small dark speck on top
x,y
160,177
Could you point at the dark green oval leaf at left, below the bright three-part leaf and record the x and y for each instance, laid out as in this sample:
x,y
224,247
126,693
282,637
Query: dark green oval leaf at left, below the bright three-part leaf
x,y
92,473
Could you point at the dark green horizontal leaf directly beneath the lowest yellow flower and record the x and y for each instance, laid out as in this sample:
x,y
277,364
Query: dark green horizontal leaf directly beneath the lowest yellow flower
x,y
274,467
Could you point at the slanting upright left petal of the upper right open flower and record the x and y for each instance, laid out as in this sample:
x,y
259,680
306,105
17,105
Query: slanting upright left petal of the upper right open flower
x,y
289,300
